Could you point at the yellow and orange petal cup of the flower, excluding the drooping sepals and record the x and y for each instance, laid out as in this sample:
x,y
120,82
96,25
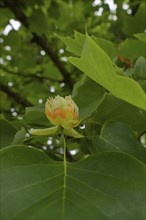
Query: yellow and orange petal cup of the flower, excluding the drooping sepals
x,y
62,111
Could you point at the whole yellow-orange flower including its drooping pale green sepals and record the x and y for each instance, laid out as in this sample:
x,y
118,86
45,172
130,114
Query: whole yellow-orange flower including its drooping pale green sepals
x,y
61,112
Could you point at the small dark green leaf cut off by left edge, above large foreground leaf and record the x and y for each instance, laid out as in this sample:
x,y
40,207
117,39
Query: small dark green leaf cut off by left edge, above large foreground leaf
x,y
7,133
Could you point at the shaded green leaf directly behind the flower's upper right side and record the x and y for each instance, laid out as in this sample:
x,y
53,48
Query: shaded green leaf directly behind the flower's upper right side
x,y
88,101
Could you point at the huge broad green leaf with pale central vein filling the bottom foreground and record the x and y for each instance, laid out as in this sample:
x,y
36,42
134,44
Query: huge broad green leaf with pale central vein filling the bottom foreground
x,y
110,185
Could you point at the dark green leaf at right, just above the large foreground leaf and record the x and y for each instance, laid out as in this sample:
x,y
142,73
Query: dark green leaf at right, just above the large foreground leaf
x,y
117,136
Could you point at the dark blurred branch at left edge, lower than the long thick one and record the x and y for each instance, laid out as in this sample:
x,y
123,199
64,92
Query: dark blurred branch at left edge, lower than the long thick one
x,y
16,96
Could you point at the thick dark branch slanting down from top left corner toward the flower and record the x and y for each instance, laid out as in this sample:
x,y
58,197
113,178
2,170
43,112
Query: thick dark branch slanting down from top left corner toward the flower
x,y
15,7
